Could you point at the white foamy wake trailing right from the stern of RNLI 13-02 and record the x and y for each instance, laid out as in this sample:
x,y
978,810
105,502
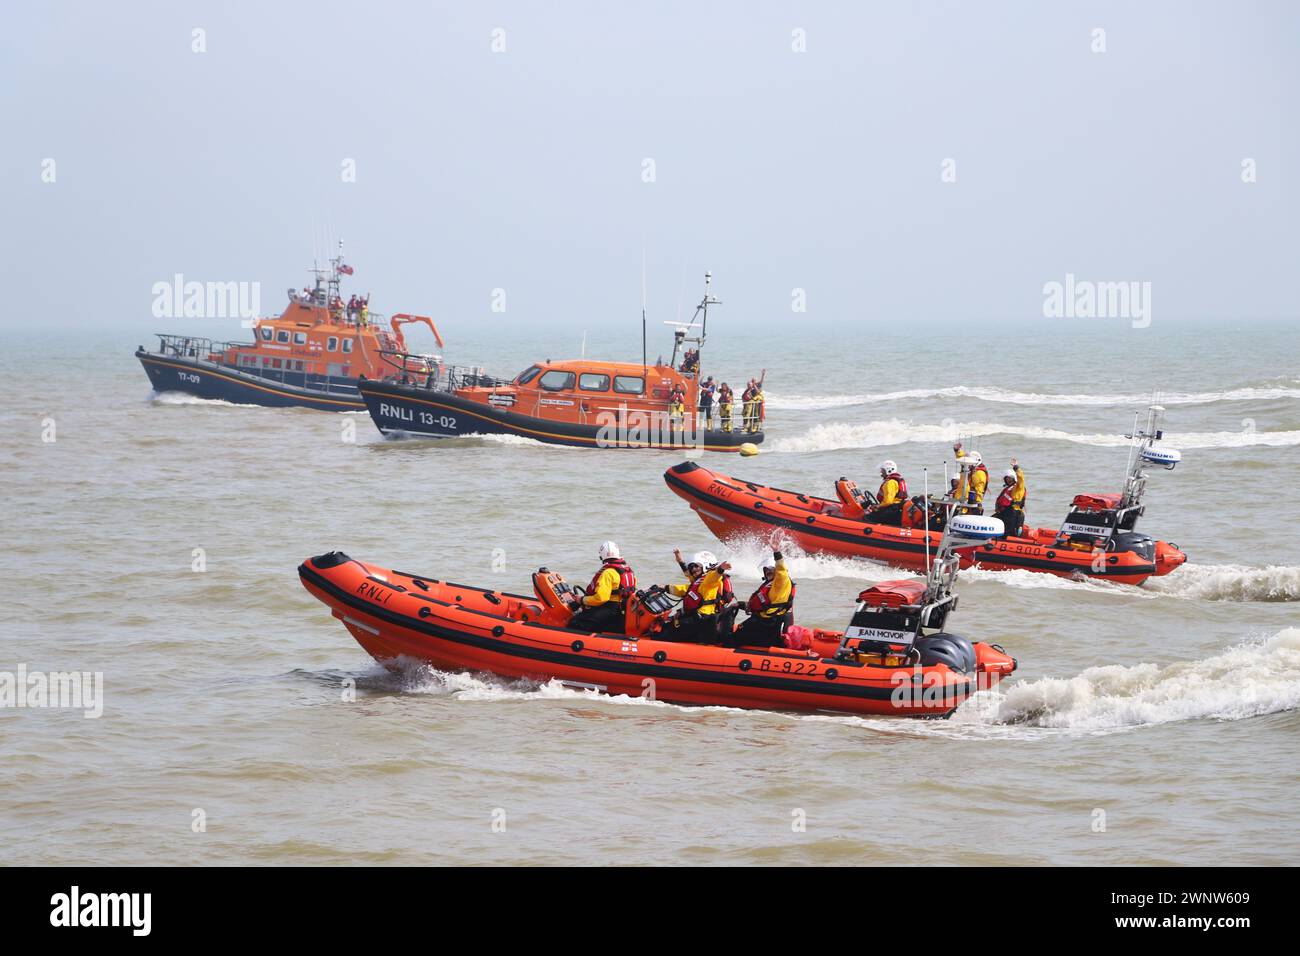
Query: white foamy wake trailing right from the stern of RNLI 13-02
x,y
843,435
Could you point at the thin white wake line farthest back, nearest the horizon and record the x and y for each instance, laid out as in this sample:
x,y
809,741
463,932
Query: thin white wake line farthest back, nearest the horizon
x,y
986,393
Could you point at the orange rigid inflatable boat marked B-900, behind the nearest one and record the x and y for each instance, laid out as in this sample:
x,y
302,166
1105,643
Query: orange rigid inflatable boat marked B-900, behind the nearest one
x,y
1097,540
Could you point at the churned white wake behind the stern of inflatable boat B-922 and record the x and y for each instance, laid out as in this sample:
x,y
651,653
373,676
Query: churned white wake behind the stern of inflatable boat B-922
x,y
1246,681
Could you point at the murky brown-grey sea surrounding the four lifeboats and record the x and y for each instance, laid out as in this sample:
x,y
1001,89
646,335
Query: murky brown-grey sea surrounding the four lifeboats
x,y
151,546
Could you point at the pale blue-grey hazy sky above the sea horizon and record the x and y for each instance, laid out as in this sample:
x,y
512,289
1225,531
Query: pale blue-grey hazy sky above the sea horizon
x,y
777,170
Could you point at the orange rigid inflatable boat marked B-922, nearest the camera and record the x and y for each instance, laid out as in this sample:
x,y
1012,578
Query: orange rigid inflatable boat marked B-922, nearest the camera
x,y
870,672
